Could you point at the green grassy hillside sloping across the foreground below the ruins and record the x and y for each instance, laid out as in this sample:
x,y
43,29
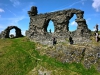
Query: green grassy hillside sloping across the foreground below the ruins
x,y
19,57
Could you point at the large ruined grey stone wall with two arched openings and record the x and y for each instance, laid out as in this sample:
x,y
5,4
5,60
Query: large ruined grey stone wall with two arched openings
x,y
39,23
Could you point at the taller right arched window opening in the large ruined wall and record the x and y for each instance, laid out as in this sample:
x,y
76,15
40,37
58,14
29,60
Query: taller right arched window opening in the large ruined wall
x,y
73,24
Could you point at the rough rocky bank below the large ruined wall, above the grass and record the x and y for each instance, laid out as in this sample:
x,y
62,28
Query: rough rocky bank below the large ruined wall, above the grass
x,y
88,55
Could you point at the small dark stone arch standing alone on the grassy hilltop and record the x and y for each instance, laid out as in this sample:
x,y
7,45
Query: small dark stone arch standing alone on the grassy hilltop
x,y
5,33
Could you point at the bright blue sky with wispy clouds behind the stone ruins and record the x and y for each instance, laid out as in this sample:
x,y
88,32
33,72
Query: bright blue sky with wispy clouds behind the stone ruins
x,y
14,12
